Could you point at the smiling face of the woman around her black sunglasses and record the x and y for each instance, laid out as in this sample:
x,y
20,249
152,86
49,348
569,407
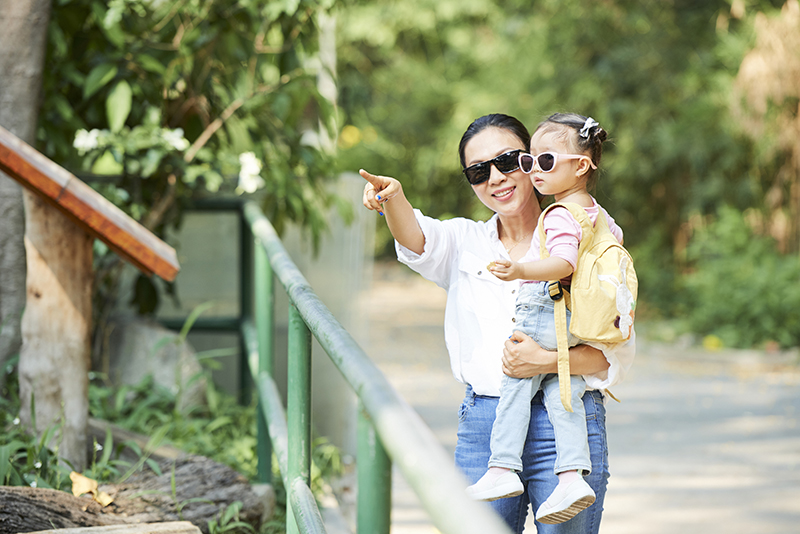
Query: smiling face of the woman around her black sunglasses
x,y
506,194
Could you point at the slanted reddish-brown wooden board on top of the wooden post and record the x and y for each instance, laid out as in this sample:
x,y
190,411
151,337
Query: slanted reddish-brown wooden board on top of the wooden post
x,y
86,207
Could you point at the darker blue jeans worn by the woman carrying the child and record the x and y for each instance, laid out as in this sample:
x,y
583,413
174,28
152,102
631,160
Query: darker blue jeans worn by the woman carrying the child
x,y
476,417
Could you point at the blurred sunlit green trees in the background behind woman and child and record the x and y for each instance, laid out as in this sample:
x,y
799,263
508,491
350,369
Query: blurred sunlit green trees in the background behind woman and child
x,y
692,133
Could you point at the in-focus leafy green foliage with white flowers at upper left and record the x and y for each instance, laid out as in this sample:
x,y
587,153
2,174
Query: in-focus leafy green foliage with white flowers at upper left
x,y
169,96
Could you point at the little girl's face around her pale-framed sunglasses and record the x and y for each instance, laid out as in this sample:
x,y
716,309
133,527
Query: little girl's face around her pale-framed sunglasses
x,y
568,176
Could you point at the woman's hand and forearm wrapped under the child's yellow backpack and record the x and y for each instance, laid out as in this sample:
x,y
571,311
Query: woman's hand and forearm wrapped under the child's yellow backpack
x,y
523,358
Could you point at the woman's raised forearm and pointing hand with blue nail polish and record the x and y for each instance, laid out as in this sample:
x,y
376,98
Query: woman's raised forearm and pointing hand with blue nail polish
x,y
385,195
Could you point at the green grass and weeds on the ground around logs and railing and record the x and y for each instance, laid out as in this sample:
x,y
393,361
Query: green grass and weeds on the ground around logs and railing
x,y
222,430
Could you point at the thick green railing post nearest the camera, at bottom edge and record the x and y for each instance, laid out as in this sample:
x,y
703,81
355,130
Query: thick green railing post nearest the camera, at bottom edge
x,y
373,510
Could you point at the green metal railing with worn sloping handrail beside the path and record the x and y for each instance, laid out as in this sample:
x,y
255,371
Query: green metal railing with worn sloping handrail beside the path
x,y
389,431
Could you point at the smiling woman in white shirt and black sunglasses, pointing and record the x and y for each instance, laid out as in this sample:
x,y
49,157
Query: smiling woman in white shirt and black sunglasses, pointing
x,y
480,310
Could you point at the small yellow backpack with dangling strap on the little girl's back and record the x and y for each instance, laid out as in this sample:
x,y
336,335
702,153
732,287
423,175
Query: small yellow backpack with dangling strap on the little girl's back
x,y
602,295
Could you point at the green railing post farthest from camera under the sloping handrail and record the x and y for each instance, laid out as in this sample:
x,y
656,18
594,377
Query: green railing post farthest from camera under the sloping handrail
x,y
265,328
